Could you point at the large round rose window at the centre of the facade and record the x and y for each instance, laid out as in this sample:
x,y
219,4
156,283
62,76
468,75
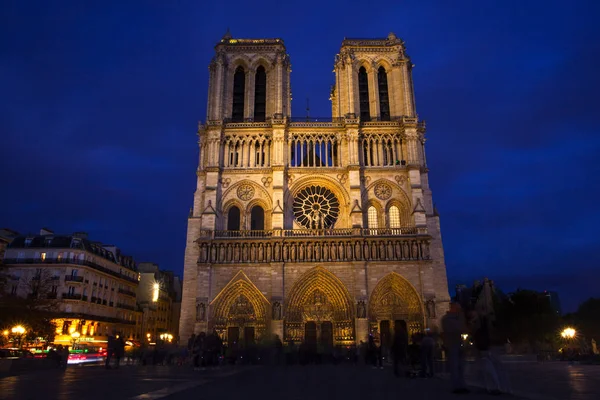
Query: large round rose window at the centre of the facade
x,y
316,207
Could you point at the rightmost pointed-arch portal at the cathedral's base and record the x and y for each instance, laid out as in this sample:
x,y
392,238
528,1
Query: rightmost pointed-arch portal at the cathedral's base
x,y
395,300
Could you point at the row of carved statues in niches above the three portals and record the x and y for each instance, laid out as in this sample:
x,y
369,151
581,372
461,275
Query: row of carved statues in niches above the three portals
x,y
309,251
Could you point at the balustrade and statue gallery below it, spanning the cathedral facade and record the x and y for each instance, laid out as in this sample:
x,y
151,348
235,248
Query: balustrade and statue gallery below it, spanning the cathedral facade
x,y
301,246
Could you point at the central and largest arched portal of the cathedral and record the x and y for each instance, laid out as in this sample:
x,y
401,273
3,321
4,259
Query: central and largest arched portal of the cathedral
x,y
319,299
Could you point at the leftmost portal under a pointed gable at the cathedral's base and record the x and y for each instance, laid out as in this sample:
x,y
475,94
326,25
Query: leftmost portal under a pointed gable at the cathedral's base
x,y
239,304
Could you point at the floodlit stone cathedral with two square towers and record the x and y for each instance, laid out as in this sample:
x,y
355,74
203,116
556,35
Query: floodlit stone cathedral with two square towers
x,y
317,230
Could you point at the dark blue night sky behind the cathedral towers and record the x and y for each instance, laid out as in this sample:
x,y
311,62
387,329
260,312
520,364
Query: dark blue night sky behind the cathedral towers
x,y
100,102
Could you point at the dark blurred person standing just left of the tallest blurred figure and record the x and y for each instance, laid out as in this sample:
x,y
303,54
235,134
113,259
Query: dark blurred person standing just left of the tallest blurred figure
x,y
454,325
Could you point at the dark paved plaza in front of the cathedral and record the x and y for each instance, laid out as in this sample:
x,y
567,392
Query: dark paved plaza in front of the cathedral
x,y
533,381
